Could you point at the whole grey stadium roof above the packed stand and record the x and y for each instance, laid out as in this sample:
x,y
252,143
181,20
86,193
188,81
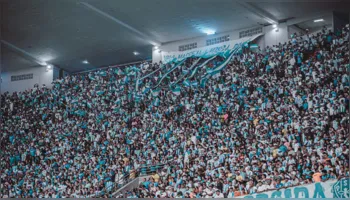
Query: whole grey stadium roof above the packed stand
x,y
105,32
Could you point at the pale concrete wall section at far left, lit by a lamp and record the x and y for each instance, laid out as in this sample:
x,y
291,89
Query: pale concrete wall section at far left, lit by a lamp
x,y
40,76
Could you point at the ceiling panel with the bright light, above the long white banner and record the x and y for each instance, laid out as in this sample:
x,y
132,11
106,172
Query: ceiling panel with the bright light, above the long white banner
x,y
168,20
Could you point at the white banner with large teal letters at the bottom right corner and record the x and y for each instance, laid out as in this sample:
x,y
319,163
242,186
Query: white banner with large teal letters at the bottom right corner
x,y
328,189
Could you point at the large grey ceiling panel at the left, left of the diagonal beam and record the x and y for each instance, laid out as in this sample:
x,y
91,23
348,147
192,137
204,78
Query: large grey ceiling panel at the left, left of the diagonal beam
x,y
55,31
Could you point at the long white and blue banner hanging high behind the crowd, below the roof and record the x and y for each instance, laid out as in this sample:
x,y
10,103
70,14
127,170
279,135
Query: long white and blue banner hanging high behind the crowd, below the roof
x,y
223,49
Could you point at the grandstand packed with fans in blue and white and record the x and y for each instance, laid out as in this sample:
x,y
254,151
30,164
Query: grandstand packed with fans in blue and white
x,y
267,120
